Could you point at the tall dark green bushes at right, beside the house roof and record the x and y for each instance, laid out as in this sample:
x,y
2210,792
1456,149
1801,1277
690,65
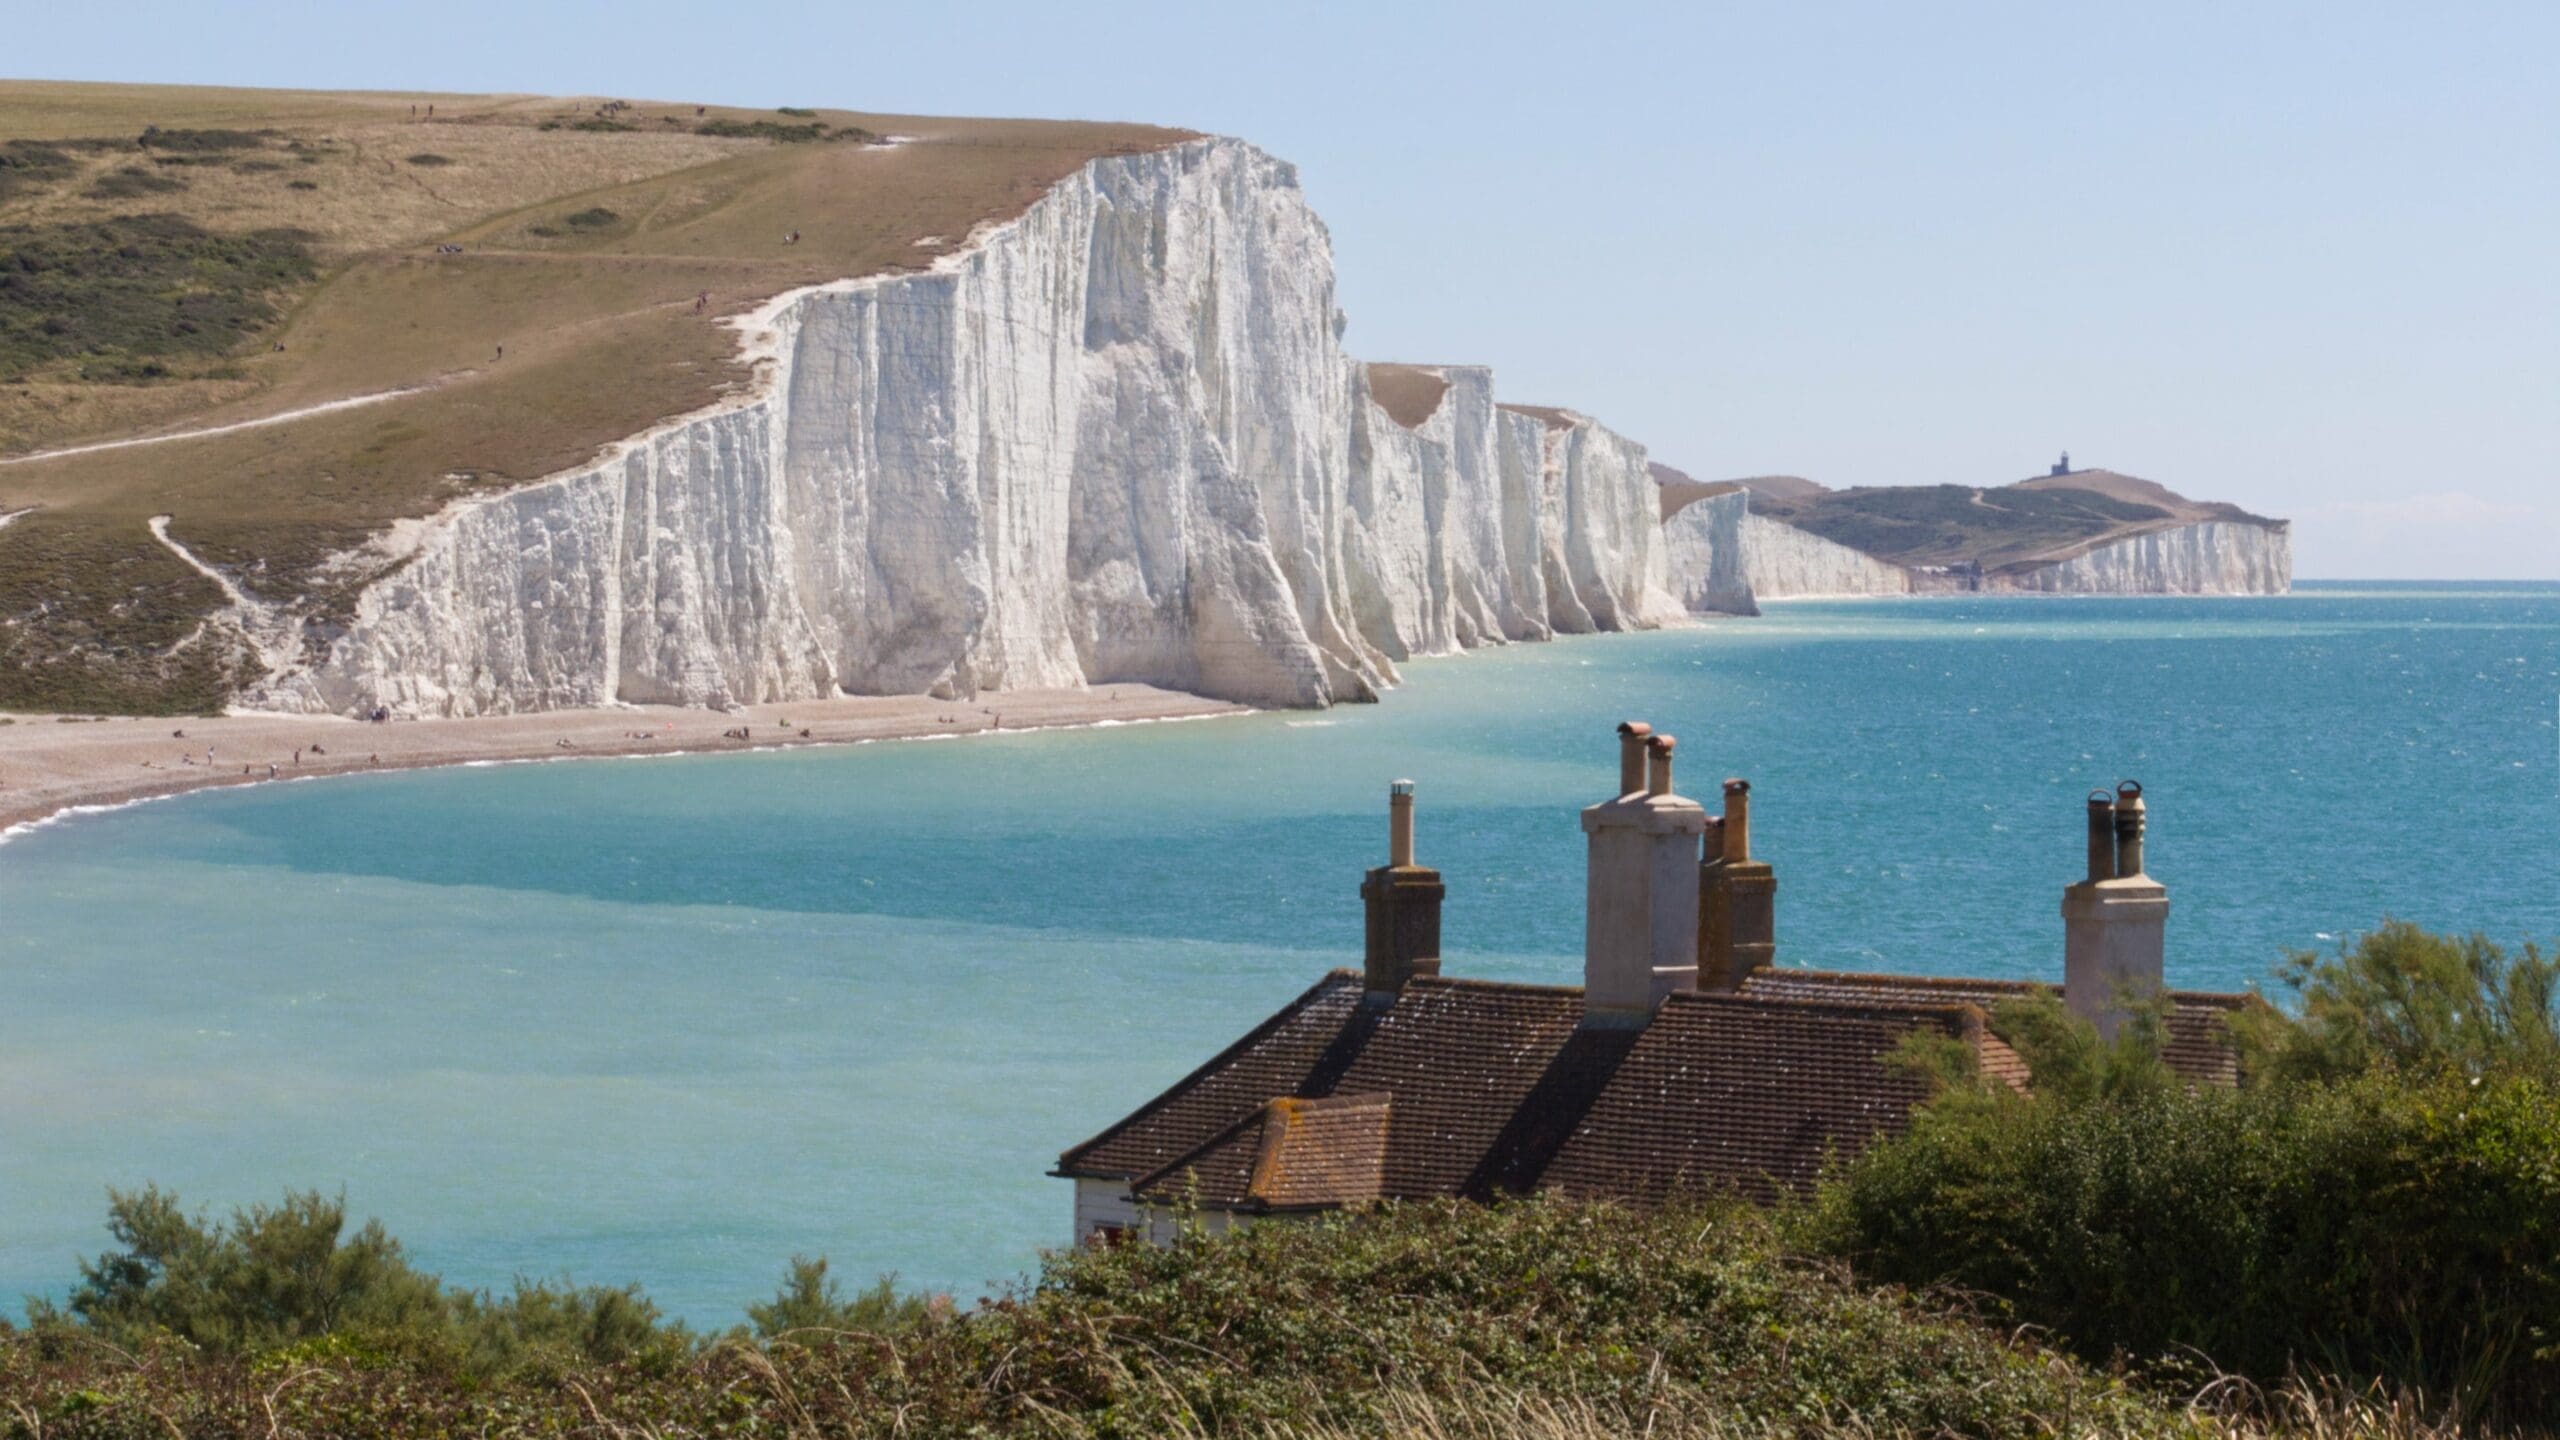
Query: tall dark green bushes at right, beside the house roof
x,y
2377,1206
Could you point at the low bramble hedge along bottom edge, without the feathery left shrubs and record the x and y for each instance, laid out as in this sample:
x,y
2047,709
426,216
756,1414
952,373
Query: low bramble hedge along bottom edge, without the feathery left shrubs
x,y
1537,1318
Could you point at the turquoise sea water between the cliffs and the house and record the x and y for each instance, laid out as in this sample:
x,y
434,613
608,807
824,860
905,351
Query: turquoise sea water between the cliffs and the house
x,y
675,1021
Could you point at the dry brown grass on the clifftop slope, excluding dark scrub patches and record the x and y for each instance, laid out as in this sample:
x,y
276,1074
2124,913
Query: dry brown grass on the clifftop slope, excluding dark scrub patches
x,y
598,324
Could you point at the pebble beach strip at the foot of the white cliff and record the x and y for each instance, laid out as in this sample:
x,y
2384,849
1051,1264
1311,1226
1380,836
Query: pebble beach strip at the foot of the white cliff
x,y
55,765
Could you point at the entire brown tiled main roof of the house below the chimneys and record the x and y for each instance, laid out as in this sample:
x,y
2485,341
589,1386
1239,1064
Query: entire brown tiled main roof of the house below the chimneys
x,y
1476,1090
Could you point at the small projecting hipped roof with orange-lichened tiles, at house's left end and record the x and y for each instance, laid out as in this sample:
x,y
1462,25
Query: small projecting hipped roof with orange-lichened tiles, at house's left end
x,y
1292,1154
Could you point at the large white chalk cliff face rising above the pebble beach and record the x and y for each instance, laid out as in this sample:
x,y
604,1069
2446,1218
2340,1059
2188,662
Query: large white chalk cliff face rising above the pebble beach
x,y
1110,442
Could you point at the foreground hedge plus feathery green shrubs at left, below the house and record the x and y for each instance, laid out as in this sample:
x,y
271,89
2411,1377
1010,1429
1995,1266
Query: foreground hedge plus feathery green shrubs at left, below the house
x,y
283,1323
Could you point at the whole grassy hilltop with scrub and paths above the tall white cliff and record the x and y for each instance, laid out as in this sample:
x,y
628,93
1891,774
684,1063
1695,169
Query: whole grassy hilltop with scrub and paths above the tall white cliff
x,y
183,260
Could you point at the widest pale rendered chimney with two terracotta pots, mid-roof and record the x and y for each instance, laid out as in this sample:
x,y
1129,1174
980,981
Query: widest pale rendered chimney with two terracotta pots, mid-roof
x,y
1640,931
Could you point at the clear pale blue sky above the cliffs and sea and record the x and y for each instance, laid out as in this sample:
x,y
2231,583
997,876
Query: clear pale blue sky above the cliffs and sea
x,y
2305,258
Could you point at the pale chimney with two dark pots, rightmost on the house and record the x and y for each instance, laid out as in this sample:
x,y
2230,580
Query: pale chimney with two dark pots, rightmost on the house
x,y
2116,921
